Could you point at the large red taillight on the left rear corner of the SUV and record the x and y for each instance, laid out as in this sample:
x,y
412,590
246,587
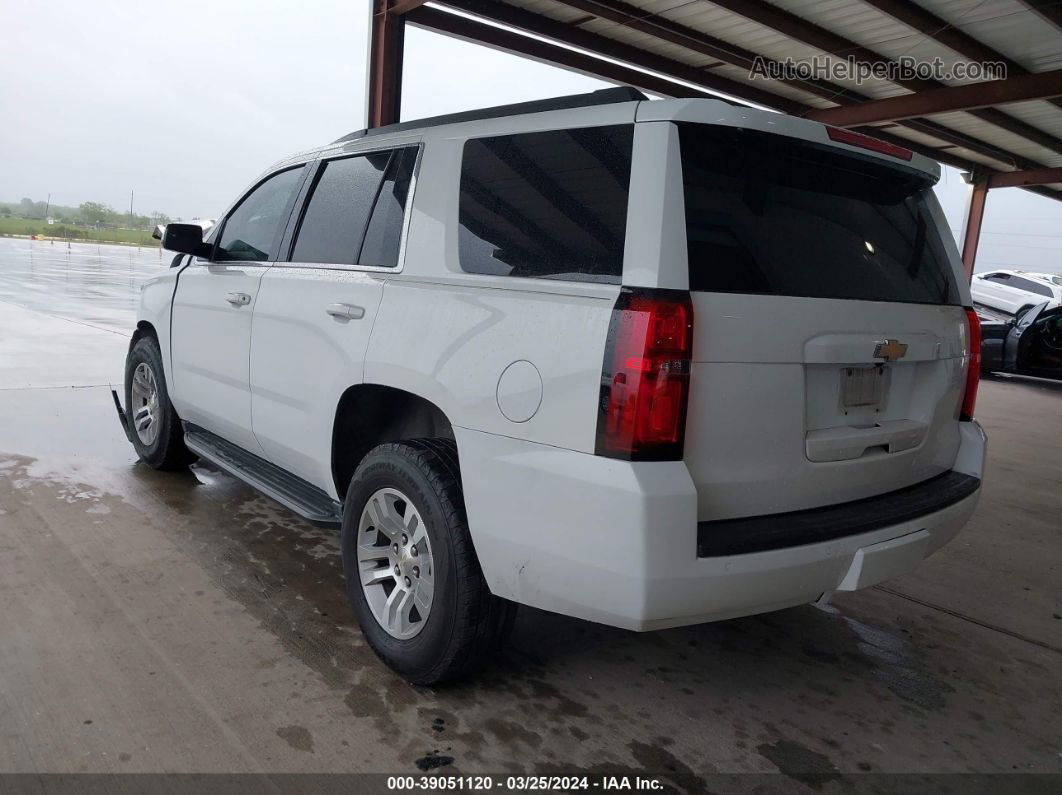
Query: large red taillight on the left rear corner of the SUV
x,y
645,379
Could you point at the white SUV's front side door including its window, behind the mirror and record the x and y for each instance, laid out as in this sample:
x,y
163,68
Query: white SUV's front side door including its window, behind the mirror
x,y
211,336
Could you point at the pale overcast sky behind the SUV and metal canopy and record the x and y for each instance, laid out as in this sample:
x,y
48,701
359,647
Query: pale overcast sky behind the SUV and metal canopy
x,y
187,103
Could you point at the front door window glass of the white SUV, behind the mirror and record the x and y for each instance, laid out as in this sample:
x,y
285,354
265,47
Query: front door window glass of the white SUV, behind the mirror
x,y
252,232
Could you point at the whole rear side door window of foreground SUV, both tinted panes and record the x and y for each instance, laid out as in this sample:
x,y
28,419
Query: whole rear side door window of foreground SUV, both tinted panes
x,y
356,211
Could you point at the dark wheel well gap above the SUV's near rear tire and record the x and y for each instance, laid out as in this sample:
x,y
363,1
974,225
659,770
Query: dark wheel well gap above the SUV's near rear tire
x,y
371,414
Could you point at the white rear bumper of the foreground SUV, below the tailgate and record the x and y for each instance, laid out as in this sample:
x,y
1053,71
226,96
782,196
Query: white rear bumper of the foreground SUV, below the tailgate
x,y
618,542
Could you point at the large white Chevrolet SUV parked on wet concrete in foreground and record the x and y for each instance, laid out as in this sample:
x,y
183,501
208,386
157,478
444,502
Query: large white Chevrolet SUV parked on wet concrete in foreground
x,y
644,364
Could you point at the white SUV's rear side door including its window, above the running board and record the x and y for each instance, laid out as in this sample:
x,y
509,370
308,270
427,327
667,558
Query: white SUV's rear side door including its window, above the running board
x,y
315,312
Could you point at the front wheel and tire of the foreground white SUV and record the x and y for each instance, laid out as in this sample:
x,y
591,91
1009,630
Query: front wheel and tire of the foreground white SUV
x,y
155,426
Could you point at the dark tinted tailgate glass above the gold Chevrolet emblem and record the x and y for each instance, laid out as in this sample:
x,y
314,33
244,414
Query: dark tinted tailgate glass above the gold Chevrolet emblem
x,y
772,216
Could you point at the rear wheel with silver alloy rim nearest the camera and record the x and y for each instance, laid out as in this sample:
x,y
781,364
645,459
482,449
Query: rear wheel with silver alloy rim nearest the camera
x,y
413,576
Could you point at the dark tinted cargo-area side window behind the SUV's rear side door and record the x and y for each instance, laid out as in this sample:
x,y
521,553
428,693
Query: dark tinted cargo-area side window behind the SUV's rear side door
x,y
546,205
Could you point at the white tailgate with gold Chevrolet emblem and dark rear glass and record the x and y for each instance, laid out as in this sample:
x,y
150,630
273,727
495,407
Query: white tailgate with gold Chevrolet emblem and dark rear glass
x,y
829,327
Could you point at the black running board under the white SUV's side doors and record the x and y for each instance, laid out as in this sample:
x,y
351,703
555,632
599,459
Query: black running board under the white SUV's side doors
x,y
294,493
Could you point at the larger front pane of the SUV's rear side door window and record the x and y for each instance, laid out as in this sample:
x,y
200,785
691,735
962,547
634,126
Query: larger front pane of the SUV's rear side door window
x,y
336,216
